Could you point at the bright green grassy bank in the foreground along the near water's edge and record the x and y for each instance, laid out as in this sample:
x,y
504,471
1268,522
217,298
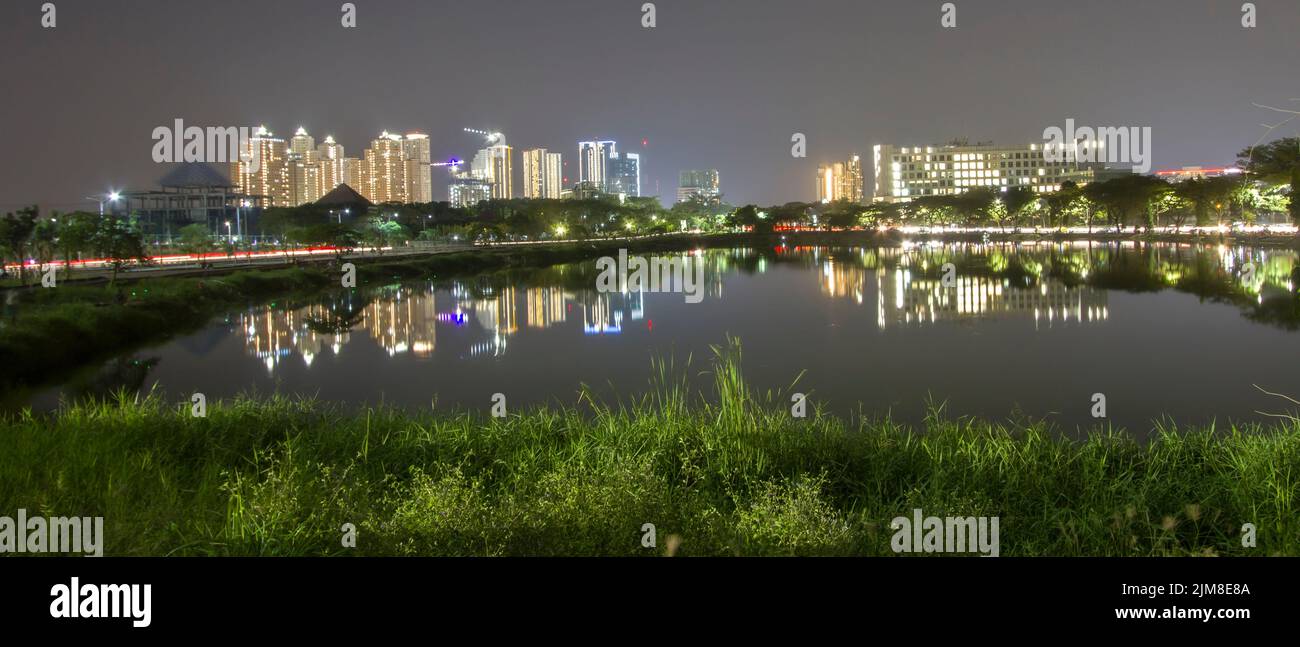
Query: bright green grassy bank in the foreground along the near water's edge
x,y
734,476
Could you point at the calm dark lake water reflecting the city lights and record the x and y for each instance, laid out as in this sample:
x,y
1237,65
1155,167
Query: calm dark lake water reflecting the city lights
x,y
1020,331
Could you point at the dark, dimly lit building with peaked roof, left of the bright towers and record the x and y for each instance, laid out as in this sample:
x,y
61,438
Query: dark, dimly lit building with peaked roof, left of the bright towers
x,y
190,193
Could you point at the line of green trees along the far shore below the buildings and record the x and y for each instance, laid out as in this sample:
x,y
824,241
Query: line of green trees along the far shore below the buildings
x,y
1268,185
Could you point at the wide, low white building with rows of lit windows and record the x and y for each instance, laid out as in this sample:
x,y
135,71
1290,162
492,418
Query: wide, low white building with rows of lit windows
x,y
904,173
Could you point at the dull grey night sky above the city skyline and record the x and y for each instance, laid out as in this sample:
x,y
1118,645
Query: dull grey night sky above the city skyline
x,y
718,84
